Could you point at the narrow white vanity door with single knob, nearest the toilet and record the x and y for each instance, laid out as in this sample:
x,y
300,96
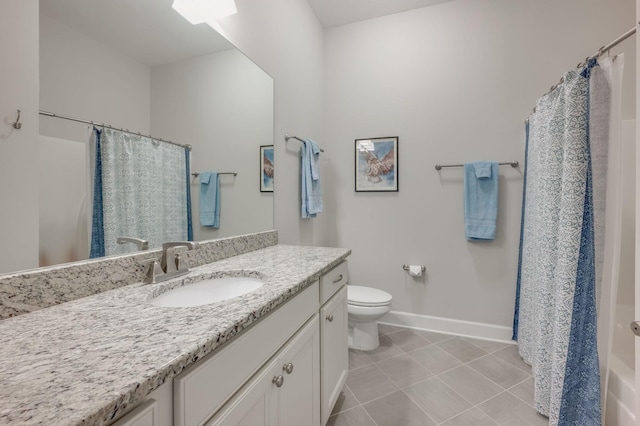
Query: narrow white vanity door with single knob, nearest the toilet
x,y
335,351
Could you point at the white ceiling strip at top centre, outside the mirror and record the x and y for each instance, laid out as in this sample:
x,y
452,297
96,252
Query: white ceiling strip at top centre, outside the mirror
x,y
332,13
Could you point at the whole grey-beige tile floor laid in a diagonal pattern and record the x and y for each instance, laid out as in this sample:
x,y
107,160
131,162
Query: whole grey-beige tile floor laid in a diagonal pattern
x,y
422,378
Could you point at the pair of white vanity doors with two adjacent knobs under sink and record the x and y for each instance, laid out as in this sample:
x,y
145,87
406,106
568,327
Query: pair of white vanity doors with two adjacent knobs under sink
x,y
276,397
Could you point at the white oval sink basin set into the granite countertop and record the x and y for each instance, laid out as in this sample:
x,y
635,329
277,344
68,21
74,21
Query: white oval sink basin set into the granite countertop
x,y
207,291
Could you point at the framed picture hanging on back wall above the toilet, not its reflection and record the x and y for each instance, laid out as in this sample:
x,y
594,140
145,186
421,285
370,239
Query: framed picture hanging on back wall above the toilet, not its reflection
x,y
377,164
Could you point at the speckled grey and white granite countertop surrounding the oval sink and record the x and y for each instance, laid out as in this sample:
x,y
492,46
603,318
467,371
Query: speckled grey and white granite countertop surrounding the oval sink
x,y
90,360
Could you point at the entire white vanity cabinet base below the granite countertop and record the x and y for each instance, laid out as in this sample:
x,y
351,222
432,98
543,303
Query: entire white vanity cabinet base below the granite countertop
x,y
286,370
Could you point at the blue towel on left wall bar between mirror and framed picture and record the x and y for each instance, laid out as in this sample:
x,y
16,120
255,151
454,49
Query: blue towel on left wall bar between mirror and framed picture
x,y
311,197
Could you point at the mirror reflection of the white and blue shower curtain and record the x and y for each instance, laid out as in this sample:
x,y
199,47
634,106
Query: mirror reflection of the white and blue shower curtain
x,y
141,190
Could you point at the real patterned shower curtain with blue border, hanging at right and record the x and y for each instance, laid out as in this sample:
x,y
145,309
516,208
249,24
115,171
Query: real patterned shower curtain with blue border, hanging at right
x,y
555,322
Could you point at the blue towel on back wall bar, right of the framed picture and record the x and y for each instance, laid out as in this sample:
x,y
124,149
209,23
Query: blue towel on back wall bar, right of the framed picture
x,y
480,200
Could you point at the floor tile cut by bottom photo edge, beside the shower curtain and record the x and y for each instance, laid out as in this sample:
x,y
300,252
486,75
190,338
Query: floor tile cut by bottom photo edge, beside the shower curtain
x,y
508,410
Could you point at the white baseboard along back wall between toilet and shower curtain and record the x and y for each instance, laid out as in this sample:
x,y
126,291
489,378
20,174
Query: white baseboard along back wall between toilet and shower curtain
x,y
475,330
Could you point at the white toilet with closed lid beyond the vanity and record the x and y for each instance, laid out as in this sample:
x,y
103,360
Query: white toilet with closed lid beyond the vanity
x,y
365,305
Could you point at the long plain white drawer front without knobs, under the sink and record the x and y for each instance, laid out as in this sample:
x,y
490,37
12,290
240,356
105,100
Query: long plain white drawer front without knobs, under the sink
x,y
202,389
